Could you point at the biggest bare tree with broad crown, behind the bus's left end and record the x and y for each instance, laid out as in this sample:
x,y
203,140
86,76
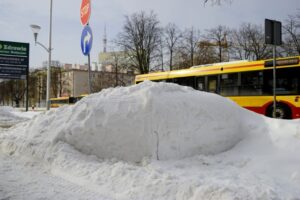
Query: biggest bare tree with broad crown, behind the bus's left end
x,y
140,39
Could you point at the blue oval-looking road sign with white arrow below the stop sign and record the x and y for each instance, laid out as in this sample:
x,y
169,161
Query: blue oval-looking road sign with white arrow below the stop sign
x,y
86,40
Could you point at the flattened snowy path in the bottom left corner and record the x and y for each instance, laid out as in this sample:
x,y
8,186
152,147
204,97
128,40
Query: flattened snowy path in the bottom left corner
x,y
21,180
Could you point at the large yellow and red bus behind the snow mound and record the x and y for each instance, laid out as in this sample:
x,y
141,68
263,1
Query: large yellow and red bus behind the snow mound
x,y
248,83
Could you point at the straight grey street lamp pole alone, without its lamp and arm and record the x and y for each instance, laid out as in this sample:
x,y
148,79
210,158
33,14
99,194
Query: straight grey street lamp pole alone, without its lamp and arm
x,y
49,61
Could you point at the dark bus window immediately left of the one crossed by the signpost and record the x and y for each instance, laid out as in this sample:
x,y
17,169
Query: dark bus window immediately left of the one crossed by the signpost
x,y
252,83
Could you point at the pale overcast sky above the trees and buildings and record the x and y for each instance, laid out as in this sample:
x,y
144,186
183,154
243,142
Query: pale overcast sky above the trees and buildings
x,y
17,15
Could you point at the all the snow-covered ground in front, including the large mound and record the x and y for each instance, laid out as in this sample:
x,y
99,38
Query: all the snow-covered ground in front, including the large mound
x,y
151,141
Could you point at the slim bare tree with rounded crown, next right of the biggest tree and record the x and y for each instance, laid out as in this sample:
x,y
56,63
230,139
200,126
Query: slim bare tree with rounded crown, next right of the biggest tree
x,y
172,37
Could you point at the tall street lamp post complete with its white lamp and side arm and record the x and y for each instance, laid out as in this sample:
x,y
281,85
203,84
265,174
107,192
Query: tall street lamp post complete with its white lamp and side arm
x,y
36,29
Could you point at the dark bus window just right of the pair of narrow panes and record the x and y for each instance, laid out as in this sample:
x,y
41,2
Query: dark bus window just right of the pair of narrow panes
x,y
229,85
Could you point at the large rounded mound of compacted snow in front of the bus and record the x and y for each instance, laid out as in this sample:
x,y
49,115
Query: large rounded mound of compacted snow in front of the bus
x,y
145,120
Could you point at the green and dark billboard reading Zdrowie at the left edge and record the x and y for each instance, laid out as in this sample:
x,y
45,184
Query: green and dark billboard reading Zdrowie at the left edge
x,y
14,60
